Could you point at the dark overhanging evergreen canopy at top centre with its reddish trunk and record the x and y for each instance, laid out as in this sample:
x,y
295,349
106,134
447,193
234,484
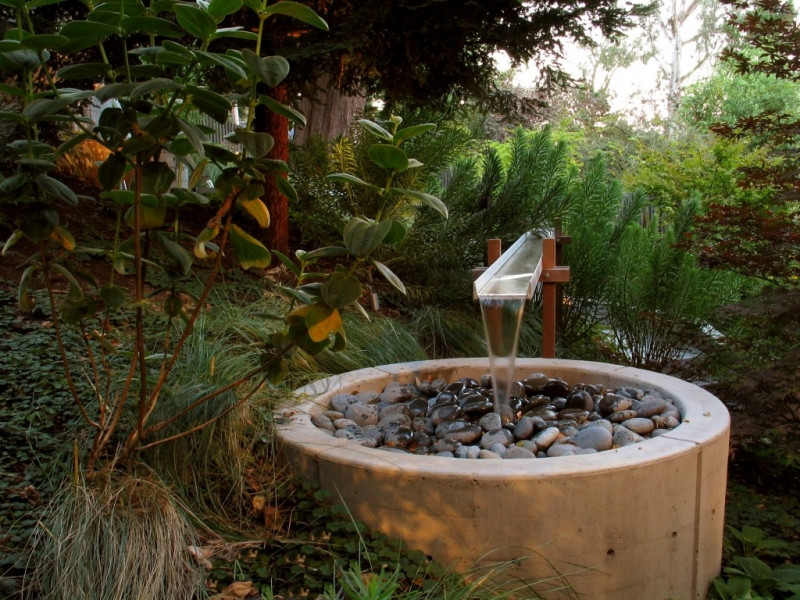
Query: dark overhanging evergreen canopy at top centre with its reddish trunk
x,y
433,53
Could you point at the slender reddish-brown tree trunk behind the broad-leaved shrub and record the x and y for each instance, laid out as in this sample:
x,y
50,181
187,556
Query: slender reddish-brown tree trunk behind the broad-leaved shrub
x,y
277,234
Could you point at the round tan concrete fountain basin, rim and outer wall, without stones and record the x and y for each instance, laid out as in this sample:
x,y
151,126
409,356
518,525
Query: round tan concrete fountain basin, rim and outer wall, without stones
x,y
642,522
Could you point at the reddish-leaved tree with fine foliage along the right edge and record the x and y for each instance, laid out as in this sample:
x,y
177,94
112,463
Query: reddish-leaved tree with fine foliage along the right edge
x,y
761,238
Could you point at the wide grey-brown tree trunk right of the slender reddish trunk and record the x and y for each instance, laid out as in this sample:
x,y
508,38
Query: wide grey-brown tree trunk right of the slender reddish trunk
x,y
328,112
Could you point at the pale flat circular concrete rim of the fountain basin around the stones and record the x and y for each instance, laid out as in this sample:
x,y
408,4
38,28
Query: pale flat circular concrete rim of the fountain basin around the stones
x,y
705,419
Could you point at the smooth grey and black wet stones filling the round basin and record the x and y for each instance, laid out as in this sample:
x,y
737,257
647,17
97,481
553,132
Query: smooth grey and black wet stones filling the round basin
x,y
545,417
